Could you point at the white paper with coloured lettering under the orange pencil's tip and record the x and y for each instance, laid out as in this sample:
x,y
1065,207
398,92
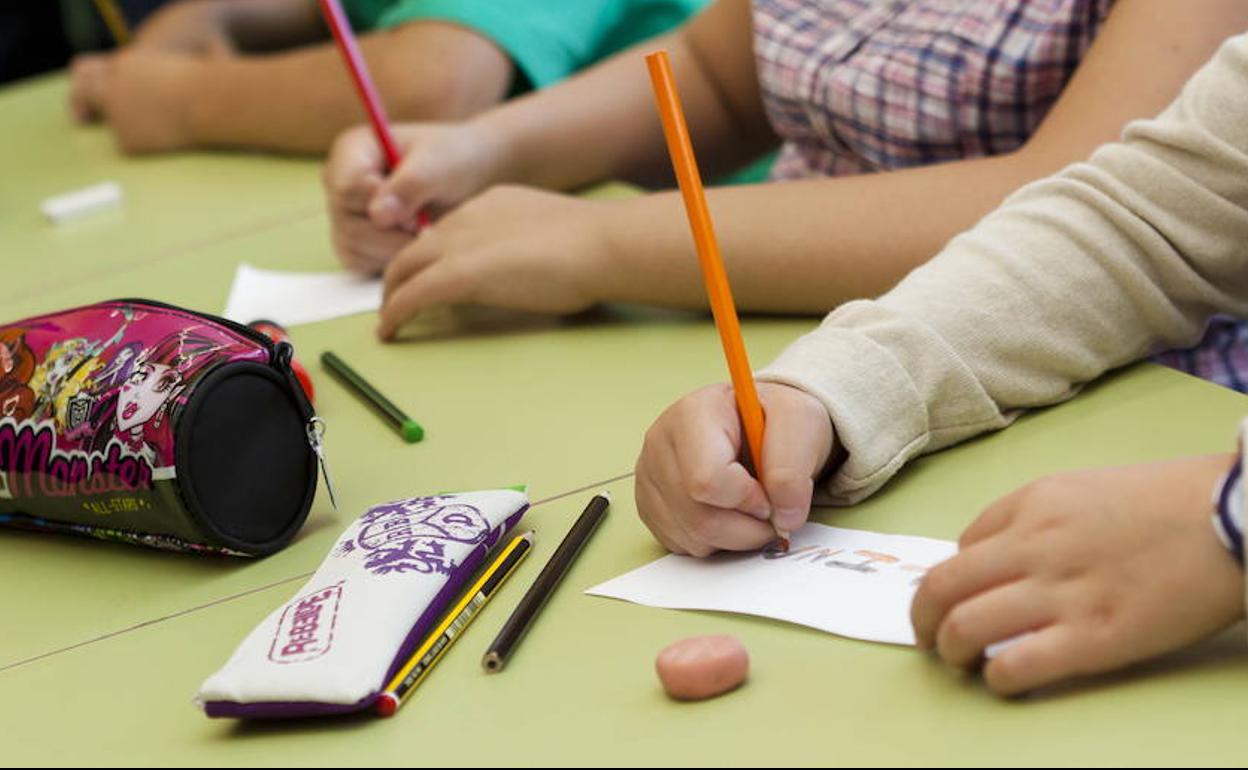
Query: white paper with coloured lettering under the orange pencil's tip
x,y
847,582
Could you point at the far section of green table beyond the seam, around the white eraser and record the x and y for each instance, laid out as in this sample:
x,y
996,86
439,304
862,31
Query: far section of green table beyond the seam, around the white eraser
x,y
173,207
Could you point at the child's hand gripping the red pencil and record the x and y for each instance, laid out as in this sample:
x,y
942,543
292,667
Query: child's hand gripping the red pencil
x,y
374,215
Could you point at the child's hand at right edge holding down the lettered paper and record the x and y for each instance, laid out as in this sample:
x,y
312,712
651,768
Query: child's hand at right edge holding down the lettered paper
x,y
1100,568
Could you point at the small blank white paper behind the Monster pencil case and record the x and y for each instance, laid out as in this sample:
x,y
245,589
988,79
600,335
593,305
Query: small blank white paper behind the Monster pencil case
x,y
293,299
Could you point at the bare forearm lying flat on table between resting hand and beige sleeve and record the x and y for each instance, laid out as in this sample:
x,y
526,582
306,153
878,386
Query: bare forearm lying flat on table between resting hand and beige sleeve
x,y
807,246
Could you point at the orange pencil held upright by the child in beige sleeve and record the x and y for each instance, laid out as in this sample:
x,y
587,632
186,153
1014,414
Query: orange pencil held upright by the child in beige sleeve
x,y
714,275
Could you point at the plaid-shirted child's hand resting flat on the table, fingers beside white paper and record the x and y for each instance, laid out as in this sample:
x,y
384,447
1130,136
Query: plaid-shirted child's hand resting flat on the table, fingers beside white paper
x,y
512,248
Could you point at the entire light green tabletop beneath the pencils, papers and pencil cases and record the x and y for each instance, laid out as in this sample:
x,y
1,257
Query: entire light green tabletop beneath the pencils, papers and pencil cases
x,y
103,646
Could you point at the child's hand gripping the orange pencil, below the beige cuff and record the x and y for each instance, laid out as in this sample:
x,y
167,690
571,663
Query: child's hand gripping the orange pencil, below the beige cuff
x,y
693,491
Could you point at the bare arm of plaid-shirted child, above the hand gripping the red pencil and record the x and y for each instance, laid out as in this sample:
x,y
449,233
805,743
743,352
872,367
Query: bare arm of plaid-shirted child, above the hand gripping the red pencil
x,y
603,123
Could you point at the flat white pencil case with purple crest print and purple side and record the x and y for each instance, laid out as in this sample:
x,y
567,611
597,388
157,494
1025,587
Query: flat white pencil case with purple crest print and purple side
x,y
335,646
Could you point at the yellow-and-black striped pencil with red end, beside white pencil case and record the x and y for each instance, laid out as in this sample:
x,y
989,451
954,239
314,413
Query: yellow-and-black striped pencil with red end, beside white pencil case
x,y
464,613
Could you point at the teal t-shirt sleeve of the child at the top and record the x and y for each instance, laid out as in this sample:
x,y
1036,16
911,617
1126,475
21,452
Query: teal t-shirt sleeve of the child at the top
x,y
547,39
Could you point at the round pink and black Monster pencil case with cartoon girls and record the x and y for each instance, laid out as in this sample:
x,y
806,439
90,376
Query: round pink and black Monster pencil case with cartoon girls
x,y
143,422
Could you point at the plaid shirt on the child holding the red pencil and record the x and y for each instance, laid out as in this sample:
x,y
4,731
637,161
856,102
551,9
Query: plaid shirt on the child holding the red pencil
x,y
859,85
